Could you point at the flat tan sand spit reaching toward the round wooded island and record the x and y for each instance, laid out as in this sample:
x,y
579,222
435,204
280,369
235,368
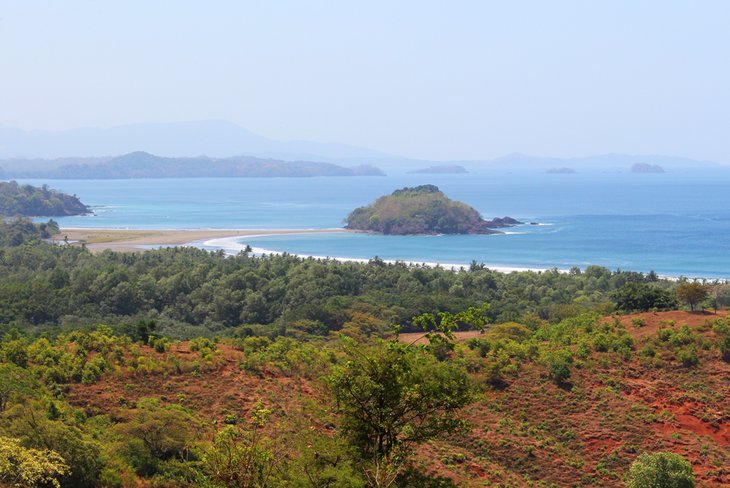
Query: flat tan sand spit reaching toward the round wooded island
x,y
137,240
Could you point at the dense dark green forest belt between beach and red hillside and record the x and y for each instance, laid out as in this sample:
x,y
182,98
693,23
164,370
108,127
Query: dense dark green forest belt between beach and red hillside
x,y
189,292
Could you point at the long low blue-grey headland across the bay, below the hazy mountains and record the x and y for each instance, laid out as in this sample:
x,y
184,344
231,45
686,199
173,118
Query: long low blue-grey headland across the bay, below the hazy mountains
x,y
144,165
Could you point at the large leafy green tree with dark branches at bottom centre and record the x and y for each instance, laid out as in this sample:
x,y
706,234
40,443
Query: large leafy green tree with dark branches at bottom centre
x,y
392,397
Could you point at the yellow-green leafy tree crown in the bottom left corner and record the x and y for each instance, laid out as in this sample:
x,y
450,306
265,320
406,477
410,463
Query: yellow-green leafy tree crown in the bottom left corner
x,y
27,467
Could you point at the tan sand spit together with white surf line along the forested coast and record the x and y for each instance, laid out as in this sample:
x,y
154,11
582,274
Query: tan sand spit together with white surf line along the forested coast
x,y
140,240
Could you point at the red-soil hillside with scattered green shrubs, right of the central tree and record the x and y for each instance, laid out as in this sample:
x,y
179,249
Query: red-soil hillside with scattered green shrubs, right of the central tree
x,y
587,430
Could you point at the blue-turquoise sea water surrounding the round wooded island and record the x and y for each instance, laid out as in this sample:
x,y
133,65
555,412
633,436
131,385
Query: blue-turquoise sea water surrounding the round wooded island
x,y
673,223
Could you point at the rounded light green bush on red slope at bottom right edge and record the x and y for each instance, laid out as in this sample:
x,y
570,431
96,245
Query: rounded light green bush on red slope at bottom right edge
x,y
660,470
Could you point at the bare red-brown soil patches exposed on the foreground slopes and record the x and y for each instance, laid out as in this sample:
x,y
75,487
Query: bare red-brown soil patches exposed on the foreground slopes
x,y
584,434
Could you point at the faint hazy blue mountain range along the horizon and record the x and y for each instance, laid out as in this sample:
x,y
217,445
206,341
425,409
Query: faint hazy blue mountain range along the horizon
x,y
219,140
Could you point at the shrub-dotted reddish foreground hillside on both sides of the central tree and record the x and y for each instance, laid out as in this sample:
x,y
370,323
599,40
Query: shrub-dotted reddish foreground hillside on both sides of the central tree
x,y
625,390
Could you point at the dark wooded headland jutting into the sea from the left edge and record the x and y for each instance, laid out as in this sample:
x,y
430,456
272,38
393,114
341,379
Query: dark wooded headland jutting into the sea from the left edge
x,y
32,201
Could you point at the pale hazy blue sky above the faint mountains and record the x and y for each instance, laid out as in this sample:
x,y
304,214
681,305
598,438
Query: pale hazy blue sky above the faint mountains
x,y
440,80
